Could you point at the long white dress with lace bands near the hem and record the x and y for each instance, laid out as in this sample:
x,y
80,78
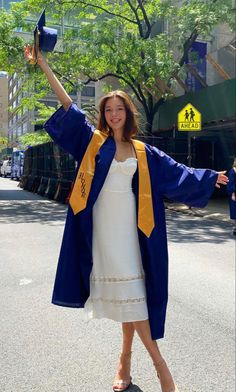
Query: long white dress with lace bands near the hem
x,y
117,288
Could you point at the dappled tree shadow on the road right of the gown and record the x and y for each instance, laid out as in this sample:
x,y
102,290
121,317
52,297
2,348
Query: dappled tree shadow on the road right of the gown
x,y
184,228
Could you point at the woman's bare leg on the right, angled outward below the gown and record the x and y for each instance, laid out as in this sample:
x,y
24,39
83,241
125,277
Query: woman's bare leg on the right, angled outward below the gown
x,y
144,332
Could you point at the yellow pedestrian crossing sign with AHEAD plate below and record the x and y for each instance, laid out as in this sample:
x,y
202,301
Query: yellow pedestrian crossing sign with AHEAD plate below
x,y
189,119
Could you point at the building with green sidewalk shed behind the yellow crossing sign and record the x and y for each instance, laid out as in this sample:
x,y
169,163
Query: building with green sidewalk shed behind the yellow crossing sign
x,y
211,90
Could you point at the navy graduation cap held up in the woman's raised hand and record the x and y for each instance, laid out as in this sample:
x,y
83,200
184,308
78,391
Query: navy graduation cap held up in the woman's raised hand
x,y
45,38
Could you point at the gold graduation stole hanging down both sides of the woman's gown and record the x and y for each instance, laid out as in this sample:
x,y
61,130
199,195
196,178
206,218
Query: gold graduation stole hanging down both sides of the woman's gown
x,y
82,186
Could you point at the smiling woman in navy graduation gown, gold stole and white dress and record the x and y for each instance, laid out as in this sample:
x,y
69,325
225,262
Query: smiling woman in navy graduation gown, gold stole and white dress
x,y
107,264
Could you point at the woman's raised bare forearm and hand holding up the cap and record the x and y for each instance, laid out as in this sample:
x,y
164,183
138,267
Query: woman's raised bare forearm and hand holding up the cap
x,y
56,86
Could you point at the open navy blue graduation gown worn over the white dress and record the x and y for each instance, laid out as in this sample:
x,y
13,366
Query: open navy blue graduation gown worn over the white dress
x,y
72,131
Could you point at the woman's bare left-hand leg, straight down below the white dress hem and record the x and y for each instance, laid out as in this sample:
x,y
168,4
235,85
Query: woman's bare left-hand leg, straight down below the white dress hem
x,y
123,371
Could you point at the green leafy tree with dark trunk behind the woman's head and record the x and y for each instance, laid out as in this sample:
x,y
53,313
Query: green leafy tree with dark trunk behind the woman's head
x,y
120,39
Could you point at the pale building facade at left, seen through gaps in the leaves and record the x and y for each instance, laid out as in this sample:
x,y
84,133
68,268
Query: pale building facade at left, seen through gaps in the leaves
x,y
18,120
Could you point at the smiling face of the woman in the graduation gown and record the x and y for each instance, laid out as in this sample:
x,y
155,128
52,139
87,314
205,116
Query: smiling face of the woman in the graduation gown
x,y
115,114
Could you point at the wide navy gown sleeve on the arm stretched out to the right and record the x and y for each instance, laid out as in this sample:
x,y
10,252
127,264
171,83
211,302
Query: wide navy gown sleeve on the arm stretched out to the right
x,y
185,184
